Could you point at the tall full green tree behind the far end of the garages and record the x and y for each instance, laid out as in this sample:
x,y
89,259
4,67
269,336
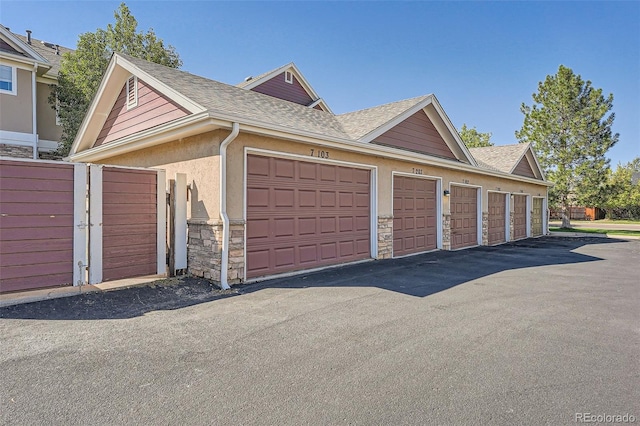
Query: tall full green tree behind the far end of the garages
x,y
570,131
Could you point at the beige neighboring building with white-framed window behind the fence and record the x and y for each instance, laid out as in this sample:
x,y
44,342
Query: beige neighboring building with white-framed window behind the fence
x,y
28,125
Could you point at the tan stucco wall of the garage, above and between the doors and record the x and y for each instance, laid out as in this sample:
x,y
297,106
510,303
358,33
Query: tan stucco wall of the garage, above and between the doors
x,y
198,157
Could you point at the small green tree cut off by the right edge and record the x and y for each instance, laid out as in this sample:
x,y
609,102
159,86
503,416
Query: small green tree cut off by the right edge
x,y
622,199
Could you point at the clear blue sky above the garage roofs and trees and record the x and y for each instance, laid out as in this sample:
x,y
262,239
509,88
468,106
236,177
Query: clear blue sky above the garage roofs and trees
x,y
481,59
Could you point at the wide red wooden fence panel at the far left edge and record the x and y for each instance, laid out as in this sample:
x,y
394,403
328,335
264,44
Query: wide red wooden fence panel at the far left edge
x,y
36,225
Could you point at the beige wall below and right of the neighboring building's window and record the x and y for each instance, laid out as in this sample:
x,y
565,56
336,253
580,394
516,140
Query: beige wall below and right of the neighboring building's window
x,y
17,111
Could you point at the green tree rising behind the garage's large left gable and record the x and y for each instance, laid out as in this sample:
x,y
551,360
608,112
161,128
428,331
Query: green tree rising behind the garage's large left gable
x,y
81,71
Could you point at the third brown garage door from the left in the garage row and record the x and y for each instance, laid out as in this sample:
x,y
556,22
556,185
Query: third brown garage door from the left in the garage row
x,y
464,216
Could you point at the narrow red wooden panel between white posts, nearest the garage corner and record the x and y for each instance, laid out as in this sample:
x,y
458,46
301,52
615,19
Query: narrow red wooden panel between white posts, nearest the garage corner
x,y
129,227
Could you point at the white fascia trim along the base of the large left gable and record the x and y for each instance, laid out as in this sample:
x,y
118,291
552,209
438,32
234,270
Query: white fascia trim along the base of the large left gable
x,y
187,126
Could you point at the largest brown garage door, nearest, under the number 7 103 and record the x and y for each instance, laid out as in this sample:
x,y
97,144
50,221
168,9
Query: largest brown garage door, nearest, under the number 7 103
x,y
303,215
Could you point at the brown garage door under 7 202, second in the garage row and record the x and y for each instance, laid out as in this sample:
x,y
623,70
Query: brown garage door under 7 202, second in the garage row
x,y
414,215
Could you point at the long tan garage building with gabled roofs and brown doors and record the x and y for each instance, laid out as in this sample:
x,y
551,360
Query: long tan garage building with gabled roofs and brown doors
x,y
279,184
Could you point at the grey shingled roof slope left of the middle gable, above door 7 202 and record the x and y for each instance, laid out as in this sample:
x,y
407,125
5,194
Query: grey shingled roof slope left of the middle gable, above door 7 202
x,y
362,122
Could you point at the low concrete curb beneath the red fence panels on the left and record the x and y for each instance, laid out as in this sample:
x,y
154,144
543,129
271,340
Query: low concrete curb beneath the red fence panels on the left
x,y
56,293
